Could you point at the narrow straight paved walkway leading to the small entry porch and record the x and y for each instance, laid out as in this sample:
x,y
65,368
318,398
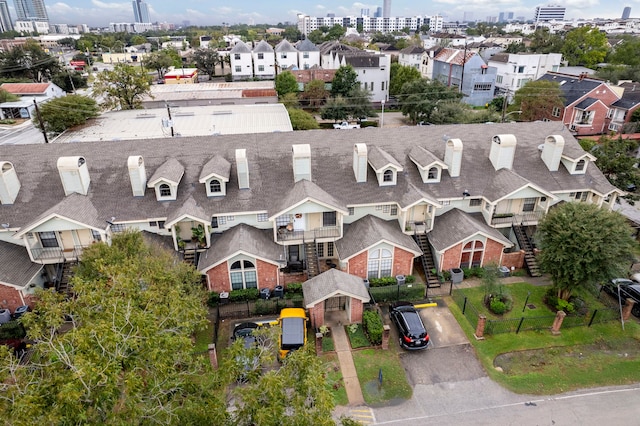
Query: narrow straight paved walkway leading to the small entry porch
x,y
343,350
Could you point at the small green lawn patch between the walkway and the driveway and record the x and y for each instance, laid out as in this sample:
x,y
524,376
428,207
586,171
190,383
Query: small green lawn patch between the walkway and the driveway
x,y
394,385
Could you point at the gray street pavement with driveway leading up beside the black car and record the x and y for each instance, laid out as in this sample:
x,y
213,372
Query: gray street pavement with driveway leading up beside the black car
x,y
451,388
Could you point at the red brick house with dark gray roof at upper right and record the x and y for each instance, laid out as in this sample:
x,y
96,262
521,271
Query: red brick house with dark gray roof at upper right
x,y
587,103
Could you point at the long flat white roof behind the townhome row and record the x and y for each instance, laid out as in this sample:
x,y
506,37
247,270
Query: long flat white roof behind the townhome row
x,y
187,121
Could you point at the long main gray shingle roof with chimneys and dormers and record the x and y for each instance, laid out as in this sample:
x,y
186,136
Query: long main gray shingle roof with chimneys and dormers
x,y
271,171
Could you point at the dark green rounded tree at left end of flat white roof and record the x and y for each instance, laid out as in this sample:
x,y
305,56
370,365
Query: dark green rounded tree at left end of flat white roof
x,y
62,113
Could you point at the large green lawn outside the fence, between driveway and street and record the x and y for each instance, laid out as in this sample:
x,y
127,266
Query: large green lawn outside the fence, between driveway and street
x,y
536,362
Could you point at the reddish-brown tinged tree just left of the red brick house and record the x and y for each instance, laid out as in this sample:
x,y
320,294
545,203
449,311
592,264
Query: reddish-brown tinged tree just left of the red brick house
x,y
537,100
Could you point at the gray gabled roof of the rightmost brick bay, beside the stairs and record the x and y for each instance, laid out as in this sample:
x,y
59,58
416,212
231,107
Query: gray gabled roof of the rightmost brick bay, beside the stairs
x,y
455,226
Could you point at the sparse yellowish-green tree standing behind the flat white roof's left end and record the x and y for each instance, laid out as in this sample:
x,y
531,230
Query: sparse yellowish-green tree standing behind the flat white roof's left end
x,y
123,87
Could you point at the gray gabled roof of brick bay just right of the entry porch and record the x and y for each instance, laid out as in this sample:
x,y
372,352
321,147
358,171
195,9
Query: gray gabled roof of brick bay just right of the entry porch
x,y
370,230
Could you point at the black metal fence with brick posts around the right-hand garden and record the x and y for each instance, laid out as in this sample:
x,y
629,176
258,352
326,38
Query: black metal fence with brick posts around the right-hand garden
x,y
516,325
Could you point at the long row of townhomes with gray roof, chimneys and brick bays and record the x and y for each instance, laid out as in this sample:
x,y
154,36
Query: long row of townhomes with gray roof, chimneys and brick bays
x,y
275,208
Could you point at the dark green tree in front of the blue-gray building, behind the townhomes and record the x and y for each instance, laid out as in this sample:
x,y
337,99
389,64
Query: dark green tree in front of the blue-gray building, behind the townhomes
x,y
421,100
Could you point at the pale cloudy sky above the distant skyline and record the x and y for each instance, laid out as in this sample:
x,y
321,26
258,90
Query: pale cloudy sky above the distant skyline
x,y
201,12
